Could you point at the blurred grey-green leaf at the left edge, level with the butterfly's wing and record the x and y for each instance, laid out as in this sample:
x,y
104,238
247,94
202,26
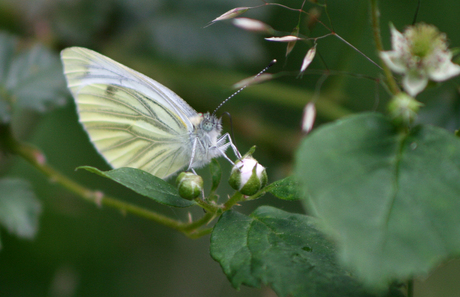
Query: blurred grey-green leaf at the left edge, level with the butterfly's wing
x,y
30,78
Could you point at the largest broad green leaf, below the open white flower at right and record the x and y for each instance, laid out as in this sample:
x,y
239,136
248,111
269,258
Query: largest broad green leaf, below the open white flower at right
x,y
389,199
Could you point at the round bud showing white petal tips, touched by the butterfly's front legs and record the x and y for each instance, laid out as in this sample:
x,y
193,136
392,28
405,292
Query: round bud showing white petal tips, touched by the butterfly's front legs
x,y
248,176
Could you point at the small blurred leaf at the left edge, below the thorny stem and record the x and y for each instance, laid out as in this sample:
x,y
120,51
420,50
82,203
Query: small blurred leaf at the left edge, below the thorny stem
x,y
19,209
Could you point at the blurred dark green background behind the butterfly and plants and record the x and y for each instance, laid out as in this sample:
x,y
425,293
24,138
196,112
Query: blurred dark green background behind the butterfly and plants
x,y
85,250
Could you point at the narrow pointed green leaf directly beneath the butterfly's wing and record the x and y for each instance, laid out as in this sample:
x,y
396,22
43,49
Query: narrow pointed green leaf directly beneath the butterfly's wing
x,y
145,184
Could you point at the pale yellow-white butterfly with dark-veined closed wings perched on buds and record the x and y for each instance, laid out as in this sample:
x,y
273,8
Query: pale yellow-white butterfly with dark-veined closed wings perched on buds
x,y
134,121
